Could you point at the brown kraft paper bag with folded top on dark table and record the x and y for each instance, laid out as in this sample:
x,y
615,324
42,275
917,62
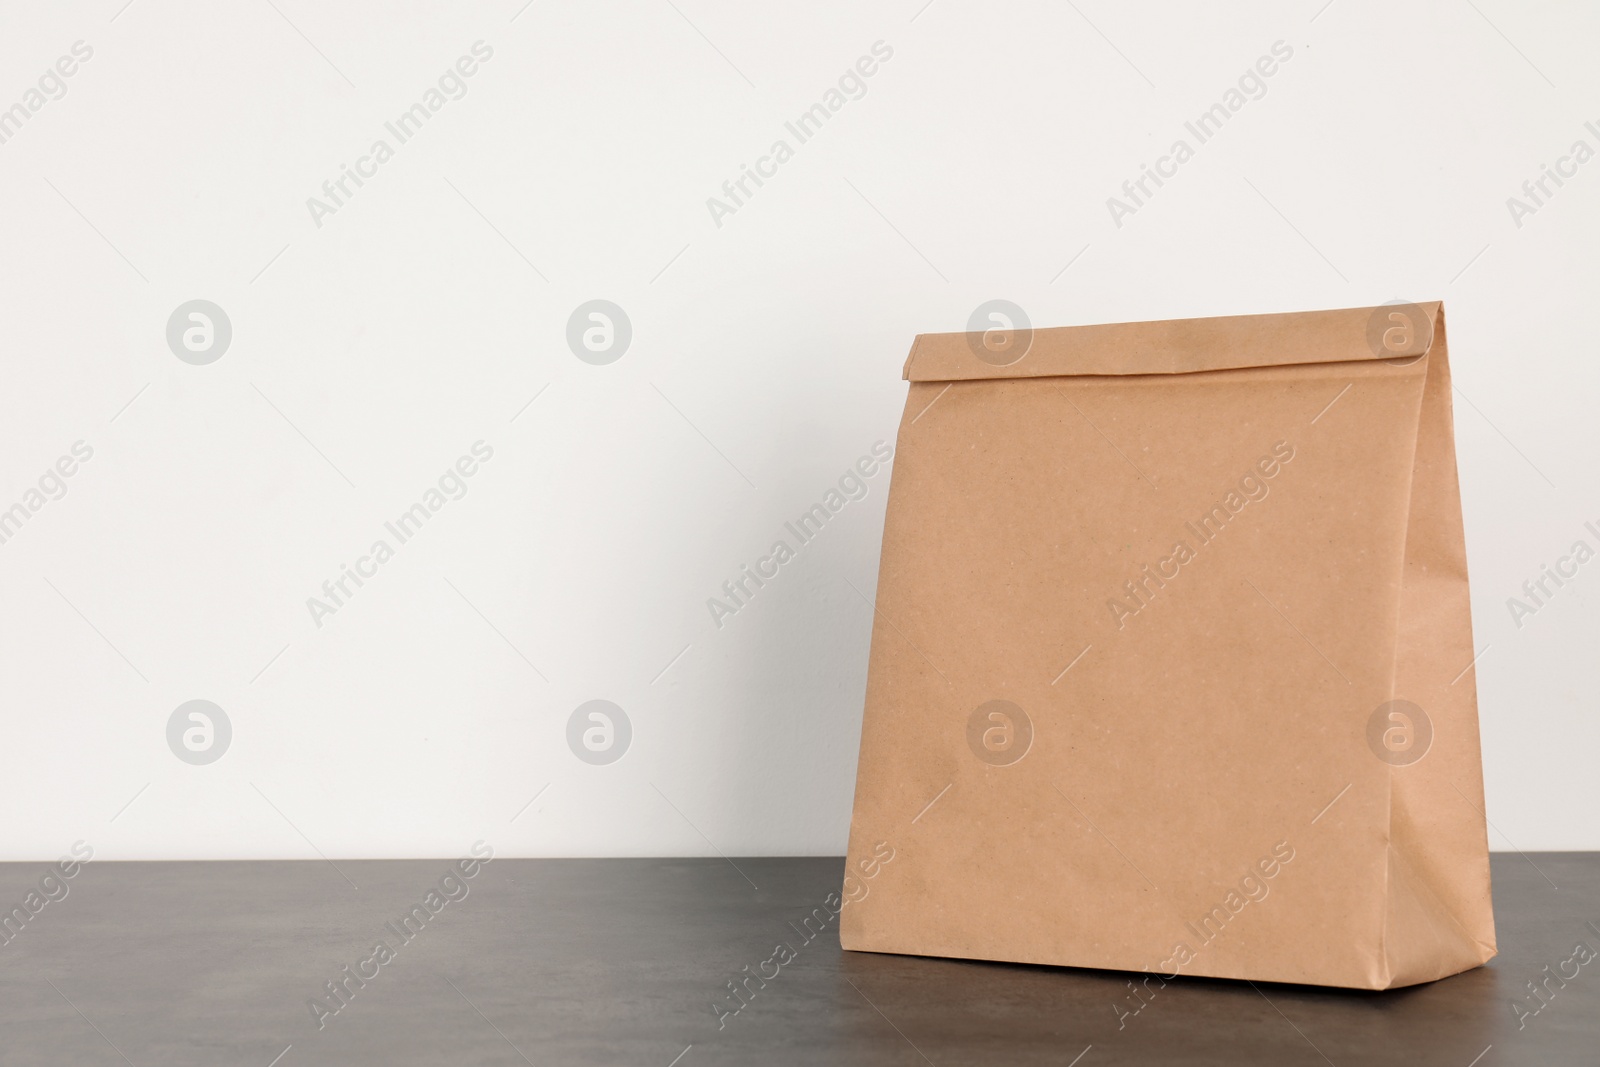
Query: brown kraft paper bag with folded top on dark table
x,y
1172,657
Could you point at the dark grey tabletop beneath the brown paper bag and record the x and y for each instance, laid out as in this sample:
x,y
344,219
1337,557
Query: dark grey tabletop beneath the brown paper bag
x,y
625,961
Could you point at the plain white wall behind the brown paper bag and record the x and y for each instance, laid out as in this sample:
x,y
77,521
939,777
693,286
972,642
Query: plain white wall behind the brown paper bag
x,y
375,350
